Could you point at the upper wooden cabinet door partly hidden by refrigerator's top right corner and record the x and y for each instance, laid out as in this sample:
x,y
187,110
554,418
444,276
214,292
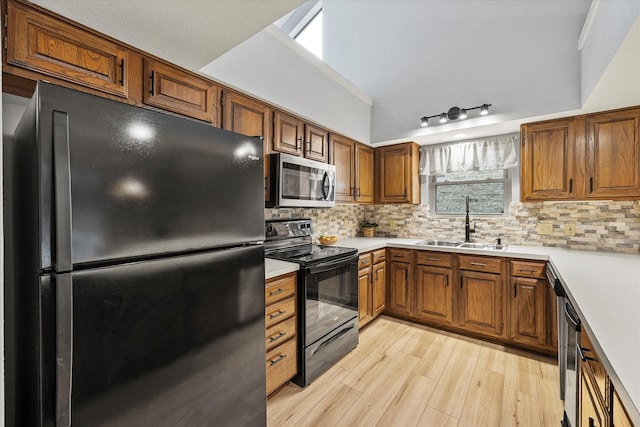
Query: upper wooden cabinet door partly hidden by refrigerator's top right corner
x,y
248,117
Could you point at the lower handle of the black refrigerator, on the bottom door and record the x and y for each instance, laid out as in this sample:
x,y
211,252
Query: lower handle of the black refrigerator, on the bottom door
x,y
64,348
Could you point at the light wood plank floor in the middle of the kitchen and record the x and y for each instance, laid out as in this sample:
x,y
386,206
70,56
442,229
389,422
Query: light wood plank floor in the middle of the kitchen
x,y
407,375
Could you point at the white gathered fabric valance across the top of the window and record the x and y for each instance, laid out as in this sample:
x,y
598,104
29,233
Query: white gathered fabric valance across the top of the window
x,y
496,152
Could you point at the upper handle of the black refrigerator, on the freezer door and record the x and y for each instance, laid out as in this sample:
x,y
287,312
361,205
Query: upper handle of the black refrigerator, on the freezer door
x,y
62,189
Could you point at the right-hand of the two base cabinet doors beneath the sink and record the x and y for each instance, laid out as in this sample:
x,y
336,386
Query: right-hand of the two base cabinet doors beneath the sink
x,y
481,302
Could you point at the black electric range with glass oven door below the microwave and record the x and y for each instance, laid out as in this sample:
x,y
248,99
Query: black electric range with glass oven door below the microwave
x,y
327,295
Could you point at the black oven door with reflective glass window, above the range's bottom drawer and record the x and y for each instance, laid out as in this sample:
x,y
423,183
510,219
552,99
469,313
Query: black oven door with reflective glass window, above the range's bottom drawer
x,y
331,296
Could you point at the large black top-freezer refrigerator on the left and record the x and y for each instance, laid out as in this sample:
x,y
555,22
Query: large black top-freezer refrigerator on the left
x,y
138,268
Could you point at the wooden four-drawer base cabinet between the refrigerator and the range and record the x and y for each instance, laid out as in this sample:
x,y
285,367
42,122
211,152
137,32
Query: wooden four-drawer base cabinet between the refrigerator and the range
x,y
280,334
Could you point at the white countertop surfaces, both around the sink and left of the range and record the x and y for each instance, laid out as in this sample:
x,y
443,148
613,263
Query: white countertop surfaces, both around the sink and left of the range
x,y
604,287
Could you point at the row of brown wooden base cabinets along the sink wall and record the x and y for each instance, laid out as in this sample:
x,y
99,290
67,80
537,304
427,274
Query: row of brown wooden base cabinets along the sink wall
x,y
471,294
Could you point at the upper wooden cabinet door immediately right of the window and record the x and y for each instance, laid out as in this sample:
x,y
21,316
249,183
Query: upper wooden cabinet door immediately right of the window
x,y
548,159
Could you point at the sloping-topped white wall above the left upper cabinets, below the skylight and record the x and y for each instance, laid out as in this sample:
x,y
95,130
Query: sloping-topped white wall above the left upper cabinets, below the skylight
x,y
273,67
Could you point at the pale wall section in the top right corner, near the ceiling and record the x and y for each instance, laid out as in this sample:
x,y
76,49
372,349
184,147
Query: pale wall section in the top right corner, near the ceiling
x,y
606,29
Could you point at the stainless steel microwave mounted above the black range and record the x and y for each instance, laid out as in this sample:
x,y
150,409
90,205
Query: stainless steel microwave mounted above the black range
x,y
298,182
